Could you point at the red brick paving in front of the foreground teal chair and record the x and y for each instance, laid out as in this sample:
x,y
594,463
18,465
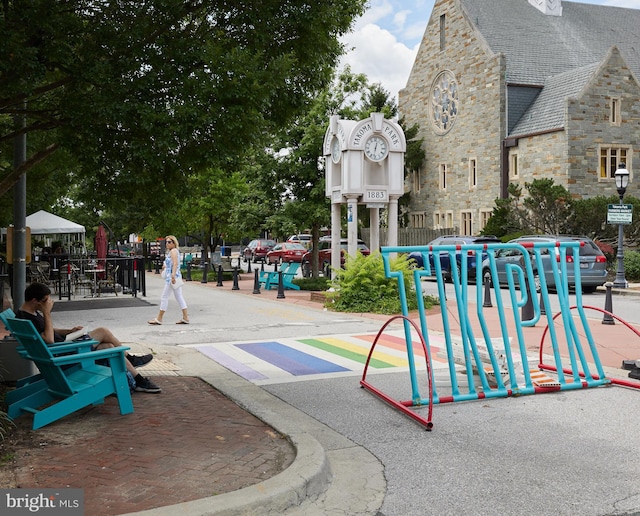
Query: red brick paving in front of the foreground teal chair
x,y
187,443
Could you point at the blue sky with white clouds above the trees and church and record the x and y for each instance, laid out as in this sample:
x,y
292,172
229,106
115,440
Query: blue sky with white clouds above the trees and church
x,y
385,39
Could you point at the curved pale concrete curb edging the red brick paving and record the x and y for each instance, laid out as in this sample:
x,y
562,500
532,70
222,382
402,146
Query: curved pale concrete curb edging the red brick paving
x,y
329,470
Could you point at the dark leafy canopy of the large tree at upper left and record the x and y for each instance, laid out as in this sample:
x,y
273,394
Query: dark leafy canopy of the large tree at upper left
x,y
141,94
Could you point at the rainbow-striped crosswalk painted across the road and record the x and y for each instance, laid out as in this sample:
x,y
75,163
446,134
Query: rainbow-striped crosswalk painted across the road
x,y
296,359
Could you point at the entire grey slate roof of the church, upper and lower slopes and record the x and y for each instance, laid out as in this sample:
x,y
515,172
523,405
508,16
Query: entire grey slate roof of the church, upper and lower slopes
x,y
560,53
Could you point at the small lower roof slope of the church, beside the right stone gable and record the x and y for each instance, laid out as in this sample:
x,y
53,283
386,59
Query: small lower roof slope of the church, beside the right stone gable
x,y
547,111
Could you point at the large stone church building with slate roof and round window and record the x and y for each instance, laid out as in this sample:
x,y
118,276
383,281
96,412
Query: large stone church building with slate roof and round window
x,y
508,91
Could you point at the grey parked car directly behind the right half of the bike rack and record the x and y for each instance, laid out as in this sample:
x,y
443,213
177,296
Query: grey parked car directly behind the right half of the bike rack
x,y
593,263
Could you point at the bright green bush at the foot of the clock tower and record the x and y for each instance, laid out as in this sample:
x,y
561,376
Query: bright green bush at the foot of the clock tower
x,y
363,287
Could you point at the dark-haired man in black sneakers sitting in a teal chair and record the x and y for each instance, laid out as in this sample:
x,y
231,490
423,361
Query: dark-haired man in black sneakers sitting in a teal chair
x,y
37,308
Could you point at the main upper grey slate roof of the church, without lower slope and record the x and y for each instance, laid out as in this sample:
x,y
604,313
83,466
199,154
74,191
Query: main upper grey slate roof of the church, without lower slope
x,y
538,46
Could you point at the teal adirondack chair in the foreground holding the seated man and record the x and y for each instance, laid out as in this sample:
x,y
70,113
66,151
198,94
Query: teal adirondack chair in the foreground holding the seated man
x,y
68,390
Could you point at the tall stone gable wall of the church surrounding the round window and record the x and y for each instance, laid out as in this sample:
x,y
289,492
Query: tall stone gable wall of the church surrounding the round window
x,y
478,130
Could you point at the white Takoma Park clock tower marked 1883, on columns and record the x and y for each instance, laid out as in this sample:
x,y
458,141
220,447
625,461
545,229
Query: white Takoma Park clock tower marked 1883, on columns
x,y
364,164
